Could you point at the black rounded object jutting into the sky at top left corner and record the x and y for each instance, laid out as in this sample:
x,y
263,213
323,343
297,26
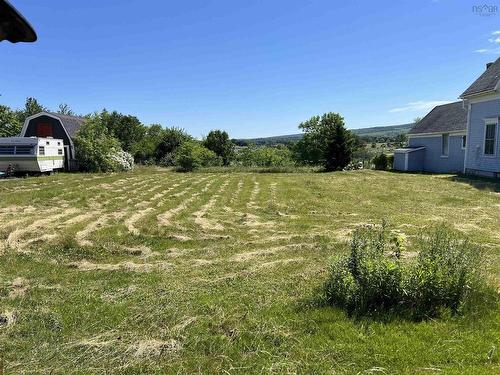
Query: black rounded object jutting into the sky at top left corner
x,y
13,26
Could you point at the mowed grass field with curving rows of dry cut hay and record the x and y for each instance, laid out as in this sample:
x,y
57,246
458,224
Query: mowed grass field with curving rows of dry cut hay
x,y
160,272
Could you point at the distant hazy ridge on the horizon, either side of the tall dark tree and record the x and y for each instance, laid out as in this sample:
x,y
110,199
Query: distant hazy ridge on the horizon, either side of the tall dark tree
x,y
374,131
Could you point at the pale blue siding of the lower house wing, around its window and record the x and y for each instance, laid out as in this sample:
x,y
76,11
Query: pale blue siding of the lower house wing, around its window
x,y
432,159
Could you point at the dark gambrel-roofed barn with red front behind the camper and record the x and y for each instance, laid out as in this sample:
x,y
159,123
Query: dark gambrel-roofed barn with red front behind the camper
x,y
55,125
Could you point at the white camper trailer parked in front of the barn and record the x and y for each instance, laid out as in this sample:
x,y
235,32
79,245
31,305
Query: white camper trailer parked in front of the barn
x,y
31,155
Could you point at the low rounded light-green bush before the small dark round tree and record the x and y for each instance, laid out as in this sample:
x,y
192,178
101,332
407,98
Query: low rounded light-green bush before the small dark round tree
x,y
191,155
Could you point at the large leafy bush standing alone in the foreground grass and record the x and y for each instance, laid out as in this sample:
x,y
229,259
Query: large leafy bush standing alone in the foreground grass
x,y
377,277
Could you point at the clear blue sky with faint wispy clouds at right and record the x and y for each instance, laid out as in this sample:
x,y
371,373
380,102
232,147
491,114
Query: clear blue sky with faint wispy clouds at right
x,y
253,67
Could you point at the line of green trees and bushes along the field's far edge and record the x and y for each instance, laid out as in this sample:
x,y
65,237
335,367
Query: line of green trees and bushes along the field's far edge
x,y
110,136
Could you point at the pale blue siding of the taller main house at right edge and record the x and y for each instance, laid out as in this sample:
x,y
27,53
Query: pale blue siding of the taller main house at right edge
x,y
476,161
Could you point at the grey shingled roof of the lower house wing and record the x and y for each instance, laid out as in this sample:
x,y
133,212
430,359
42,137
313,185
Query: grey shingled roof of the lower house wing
x,y
443,118
